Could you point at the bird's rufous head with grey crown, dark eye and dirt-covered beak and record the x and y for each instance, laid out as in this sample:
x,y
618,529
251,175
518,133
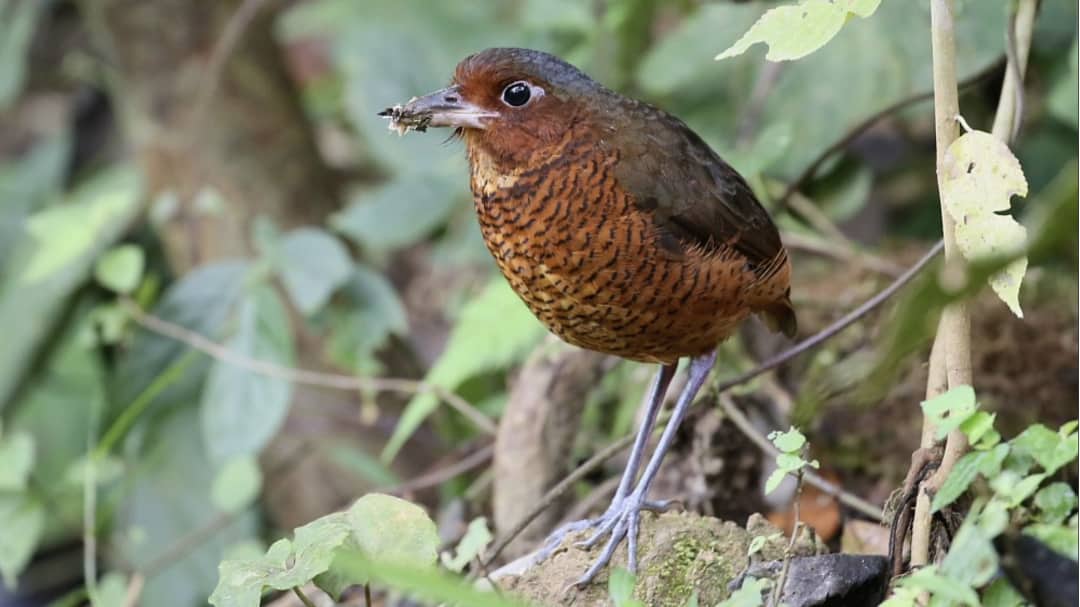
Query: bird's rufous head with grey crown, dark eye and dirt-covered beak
x,y
509,103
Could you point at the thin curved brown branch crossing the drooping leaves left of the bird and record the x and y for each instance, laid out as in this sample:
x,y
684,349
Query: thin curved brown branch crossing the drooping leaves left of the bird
x,y
220,353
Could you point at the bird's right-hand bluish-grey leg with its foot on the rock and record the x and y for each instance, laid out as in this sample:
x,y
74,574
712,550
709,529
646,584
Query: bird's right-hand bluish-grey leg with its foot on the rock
x,y
624,518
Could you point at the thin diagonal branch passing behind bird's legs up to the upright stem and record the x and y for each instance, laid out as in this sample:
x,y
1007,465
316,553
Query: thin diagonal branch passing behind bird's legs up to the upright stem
x,y
610,452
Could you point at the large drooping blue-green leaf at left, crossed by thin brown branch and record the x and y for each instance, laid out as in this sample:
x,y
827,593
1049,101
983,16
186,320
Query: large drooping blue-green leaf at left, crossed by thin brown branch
x,y
242,410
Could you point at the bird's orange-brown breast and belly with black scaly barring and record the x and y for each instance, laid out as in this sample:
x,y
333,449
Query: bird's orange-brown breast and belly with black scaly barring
x,y
596,269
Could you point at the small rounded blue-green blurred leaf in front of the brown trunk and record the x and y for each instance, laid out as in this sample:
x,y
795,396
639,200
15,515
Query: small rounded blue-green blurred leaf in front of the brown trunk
x,y
313,266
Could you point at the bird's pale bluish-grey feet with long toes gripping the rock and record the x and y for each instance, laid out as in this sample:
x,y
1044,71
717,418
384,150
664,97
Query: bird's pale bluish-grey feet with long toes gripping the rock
x,y
622,521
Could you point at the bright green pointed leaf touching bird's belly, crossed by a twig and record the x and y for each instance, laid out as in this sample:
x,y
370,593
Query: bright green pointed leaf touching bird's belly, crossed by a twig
x,y
494,331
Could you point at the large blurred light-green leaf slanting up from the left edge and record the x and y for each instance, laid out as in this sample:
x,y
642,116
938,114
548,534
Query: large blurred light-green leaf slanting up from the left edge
x,y
52,260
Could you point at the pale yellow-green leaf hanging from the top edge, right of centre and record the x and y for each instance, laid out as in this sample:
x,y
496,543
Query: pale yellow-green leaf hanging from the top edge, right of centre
x,y
798,31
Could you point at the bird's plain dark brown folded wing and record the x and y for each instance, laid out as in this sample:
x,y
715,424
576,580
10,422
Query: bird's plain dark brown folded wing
x,y
693,195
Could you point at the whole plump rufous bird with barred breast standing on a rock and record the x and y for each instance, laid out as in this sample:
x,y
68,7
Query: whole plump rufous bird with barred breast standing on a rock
x,y
619,228
